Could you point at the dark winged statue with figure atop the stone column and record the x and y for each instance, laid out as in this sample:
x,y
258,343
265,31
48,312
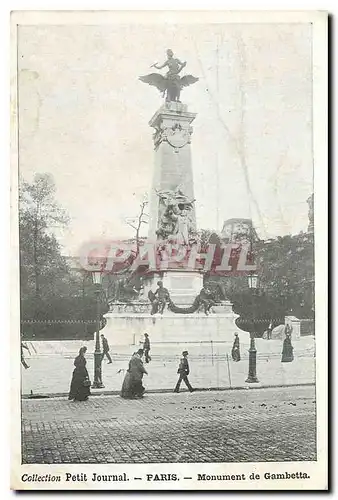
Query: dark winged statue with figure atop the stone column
x,y
172,83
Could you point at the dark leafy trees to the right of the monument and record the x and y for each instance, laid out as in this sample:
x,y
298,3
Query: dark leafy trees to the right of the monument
x,y
286,272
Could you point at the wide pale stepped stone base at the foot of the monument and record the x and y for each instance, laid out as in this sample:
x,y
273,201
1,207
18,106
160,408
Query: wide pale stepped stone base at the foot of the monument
x,y
128,328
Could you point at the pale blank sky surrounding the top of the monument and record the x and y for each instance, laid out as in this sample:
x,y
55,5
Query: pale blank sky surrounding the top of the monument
x,y
83,116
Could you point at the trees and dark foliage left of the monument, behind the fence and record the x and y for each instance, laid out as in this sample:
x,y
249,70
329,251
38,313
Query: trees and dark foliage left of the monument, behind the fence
x,y
50,292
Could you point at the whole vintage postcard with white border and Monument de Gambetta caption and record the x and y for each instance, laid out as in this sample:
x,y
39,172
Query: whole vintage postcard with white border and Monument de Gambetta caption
x,y
169,274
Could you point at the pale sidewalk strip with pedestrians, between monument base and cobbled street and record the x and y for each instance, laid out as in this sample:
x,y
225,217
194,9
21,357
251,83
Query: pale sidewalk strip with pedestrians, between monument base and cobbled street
x,y
209,365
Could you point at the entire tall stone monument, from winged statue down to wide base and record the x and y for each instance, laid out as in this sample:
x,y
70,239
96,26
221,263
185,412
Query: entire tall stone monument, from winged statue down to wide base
x,y
173,305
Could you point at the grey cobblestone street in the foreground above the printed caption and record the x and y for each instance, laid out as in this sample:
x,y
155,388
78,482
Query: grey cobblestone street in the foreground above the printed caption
x,y
220,426
